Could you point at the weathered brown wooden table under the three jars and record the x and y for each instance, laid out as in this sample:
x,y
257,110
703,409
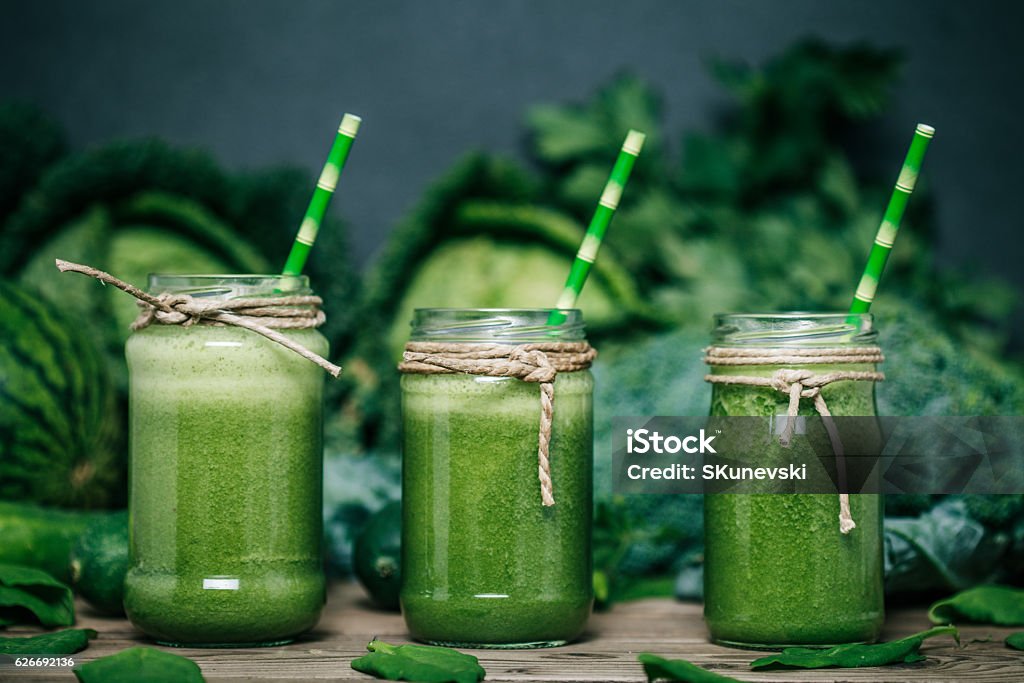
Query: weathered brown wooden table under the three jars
x,y
608,653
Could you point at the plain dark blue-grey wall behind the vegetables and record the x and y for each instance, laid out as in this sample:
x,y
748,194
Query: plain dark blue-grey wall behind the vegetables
x,y
265,82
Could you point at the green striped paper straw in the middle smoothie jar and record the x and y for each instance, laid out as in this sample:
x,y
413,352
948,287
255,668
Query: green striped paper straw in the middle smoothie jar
x,y
599,225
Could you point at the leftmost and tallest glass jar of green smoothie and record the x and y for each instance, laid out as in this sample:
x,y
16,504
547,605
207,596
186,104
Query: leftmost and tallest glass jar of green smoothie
x,y
226,480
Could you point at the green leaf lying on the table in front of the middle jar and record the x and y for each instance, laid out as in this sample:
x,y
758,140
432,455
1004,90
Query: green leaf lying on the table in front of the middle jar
x,y
424,664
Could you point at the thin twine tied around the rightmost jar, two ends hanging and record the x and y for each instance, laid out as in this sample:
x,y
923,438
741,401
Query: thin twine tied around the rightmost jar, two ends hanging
x,y
798,385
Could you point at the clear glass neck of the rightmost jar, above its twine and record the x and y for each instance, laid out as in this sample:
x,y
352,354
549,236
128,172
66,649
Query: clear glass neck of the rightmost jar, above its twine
x,y
794,329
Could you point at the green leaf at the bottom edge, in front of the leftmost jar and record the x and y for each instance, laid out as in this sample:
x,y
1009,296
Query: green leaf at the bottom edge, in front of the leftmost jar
x,y
140,665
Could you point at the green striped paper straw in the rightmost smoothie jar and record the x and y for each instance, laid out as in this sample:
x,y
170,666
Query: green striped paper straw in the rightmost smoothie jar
x,y
890,223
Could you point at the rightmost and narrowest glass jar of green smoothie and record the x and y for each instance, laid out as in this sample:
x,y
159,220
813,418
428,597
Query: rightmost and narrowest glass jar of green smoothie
x,y
779,572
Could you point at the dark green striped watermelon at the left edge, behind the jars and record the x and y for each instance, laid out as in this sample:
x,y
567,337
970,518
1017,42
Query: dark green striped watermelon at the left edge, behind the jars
x,y
58,431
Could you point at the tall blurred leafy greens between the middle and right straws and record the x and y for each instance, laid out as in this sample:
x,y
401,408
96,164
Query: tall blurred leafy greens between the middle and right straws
x,y
743,196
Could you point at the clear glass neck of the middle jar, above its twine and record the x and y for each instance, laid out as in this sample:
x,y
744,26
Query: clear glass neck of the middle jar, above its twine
x,y
511,326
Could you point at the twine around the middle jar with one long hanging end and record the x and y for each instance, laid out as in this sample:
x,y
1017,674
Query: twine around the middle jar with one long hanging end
x,y
538,363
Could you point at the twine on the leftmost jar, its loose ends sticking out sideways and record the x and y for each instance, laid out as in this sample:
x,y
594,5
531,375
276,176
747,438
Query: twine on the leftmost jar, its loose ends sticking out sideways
x,y
260,315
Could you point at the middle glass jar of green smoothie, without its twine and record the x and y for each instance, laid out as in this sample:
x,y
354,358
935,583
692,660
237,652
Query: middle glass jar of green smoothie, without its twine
x,y
485,564
